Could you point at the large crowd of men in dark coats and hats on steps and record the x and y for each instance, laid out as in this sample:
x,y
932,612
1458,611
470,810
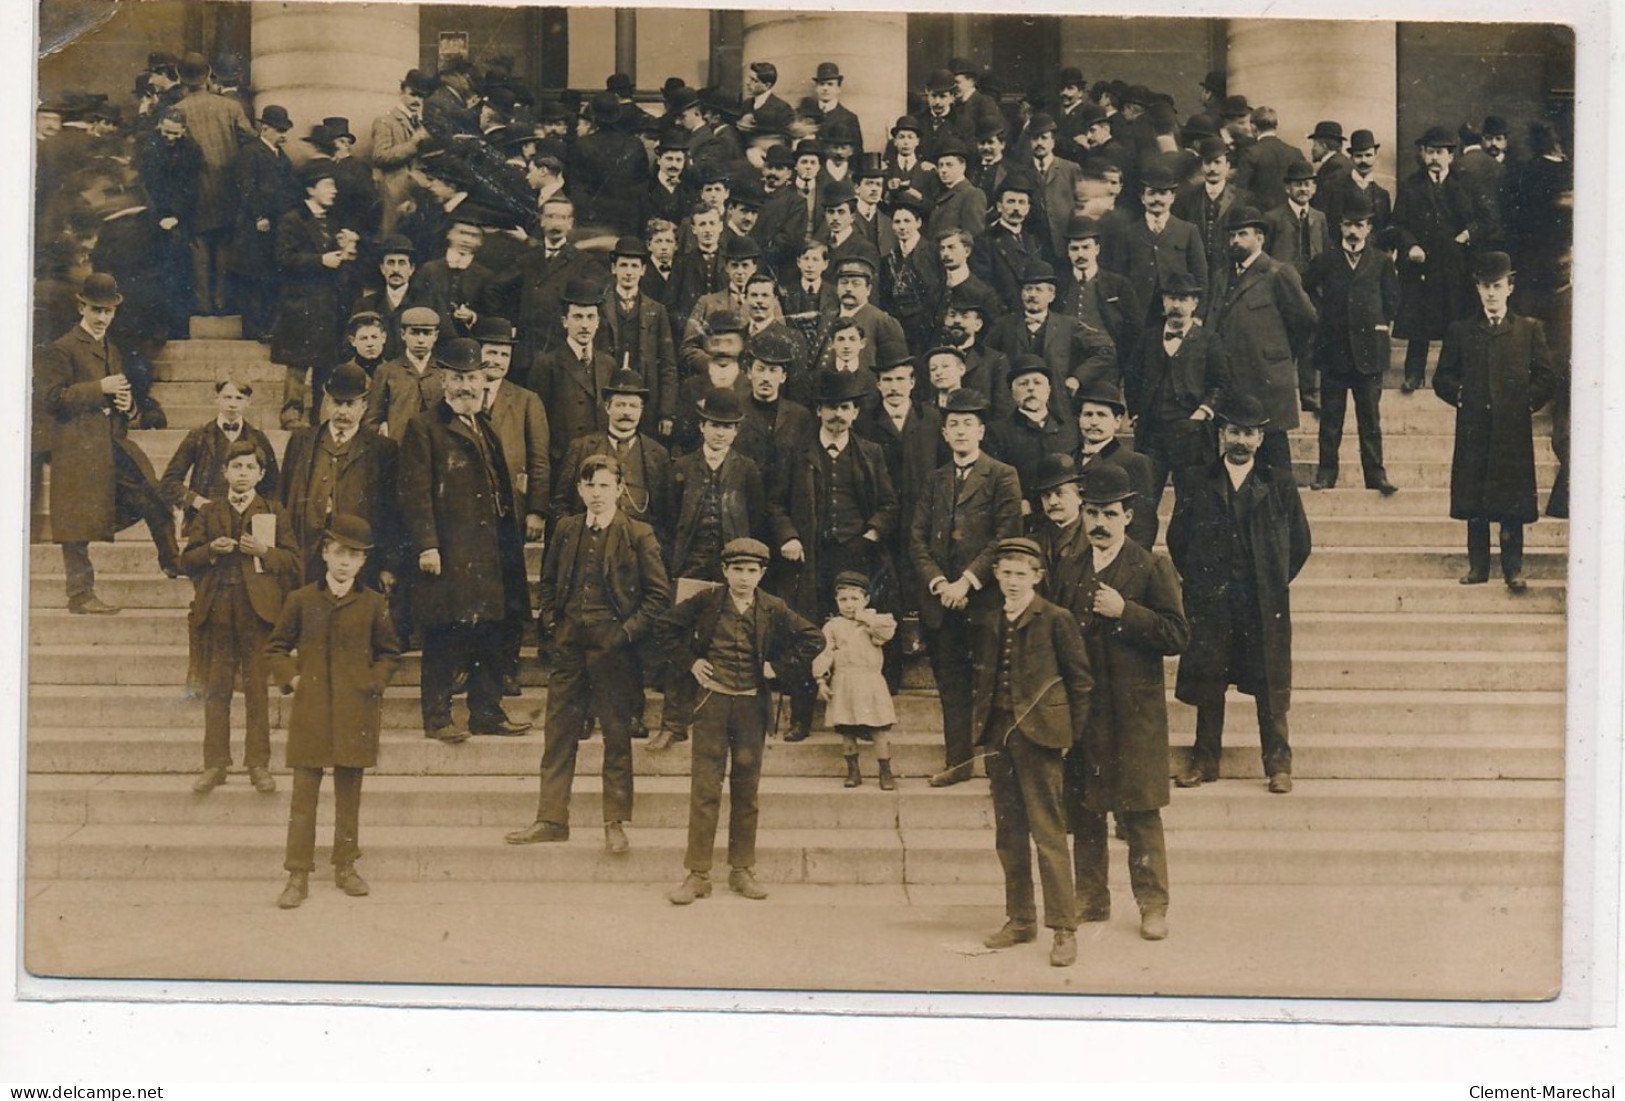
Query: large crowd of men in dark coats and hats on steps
x,y
726,345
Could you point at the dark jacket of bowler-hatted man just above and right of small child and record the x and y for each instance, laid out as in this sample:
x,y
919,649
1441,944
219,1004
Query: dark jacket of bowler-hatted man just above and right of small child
x,y
958,527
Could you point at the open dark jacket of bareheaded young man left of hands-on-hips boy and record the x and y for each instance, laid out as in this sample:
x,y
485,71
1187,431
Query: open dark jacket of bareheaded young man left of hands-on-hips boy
x,y
635,577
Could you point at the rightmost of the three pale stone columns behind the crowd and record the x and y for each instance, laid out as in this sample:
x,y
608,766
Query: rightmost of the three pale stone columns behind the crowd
x,y
1314,69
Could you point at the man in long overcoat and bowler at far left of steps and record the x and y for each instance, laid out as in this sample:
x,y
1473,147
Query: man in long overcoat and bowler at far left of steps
x,y
102,483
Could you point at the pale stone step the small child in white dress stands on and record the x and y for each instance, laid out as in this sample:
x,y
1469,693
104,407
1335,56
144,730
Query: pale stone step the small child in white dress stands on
x,y
800,803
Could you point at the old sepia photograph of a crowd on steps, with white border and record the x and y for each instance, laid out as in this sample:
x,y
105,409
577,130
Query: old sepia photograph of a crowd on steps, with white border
x,y
600,504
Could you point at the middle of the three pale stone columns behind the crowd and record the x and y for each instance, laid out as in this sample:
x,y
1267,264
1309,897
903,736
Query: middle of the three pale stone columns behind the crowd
x,y
872,50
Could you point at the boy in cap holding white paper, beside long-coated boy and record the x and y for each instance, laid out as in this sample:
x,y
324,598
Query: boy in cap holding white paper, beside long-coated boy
x,y
241,572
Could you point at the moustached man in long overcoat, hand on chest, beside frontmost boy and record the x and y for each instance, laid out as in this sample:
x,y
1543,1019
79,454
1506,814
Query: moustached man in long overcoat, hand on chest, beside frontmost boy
x,y
1127,602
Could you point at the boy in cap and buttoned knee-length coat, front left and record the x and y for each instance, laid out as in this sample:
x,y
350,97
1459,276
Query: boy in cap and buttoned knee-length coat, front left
x,y
336,650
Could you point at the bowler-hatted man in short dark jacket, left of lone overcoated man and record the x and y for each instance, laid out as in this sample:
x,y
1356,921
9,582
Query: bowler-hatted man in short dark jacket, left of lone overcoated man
x,y
1356,296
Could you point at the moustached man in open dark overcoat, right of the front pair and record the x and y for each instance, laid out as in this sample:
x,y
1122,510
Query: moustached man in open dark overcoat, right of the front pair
x,y
1239,538
